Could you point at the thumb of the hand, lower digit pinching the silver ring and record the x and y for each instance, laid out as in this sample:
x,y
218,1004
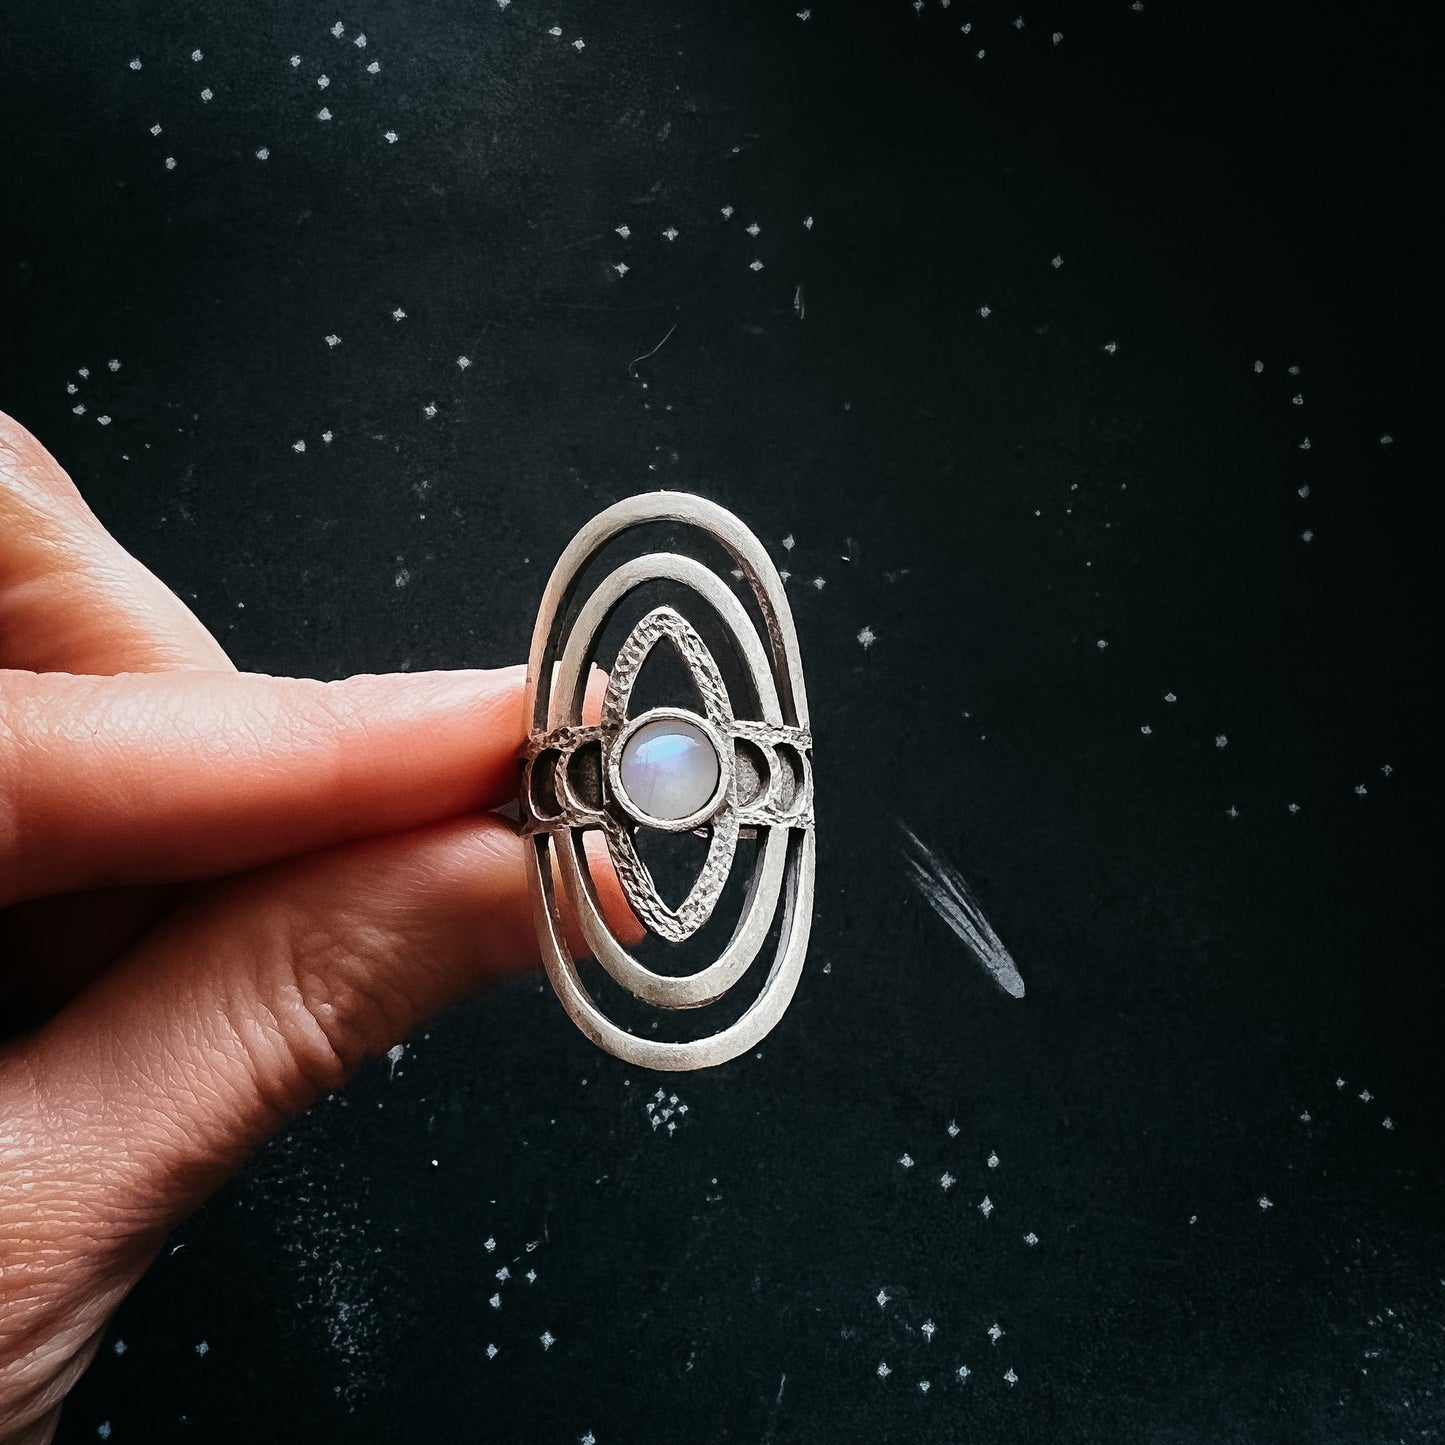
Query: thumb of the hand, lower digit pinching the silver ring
x,y
262,993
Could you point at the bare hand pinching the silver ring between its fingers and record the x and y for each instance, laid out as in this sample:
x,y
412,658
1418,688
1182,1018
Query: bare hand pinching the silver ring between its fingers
x,y
230,889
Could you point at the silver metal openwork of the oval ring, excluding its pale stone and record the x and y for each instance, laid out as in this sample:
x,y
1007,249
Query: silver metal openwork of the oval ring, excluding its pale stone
x,y
571,781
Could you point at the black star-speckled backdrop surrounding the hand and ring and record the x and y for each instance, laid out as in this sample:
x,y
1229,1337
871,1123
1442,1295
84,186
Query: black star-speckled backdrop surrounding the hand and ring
x,y
1048,517
